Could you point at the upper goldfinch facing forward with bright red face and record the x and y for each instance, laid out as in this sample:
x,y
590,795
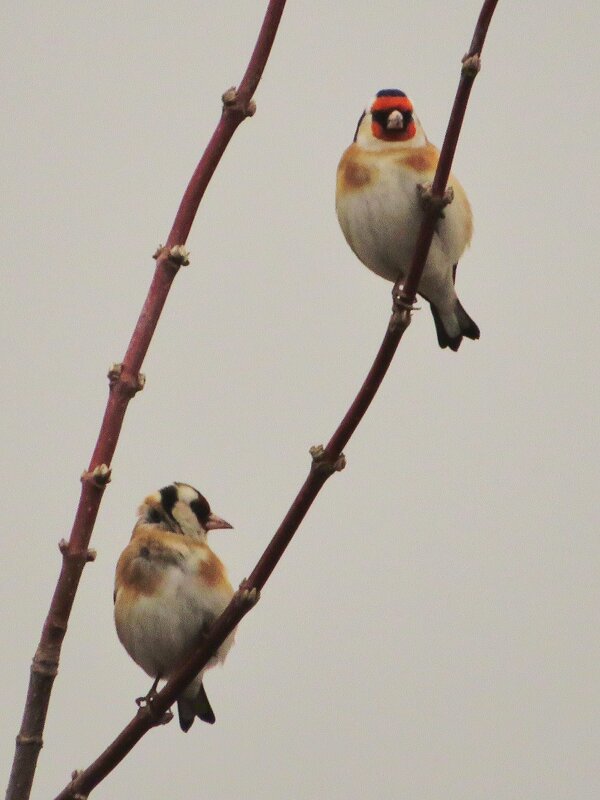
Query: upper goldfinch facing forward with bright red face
x,y
378,204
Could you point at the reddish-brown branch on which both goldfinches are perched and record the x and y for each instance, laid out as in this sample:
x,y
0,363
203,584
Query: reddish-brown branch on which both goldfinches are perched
x,y
326,461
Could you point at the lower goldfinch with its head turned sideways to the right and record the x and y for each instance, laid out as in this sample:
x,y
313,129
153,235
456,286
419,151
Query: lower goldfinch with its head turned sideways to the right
x,y
169,588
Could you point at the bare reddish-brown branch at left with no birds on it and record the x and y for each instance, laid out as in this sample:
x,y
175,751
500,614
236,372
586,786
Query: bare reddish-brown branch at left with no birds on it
x,y
125,381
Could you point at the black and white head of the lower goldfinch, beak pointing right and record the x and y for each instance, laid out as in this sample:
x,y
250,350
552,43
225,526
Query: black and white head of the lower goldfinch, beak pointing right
x,y
180,508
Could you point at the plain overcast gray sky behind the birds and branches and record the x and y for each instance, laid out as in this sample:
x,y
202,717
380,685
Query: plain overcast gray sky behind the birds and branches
x,y
433,631
